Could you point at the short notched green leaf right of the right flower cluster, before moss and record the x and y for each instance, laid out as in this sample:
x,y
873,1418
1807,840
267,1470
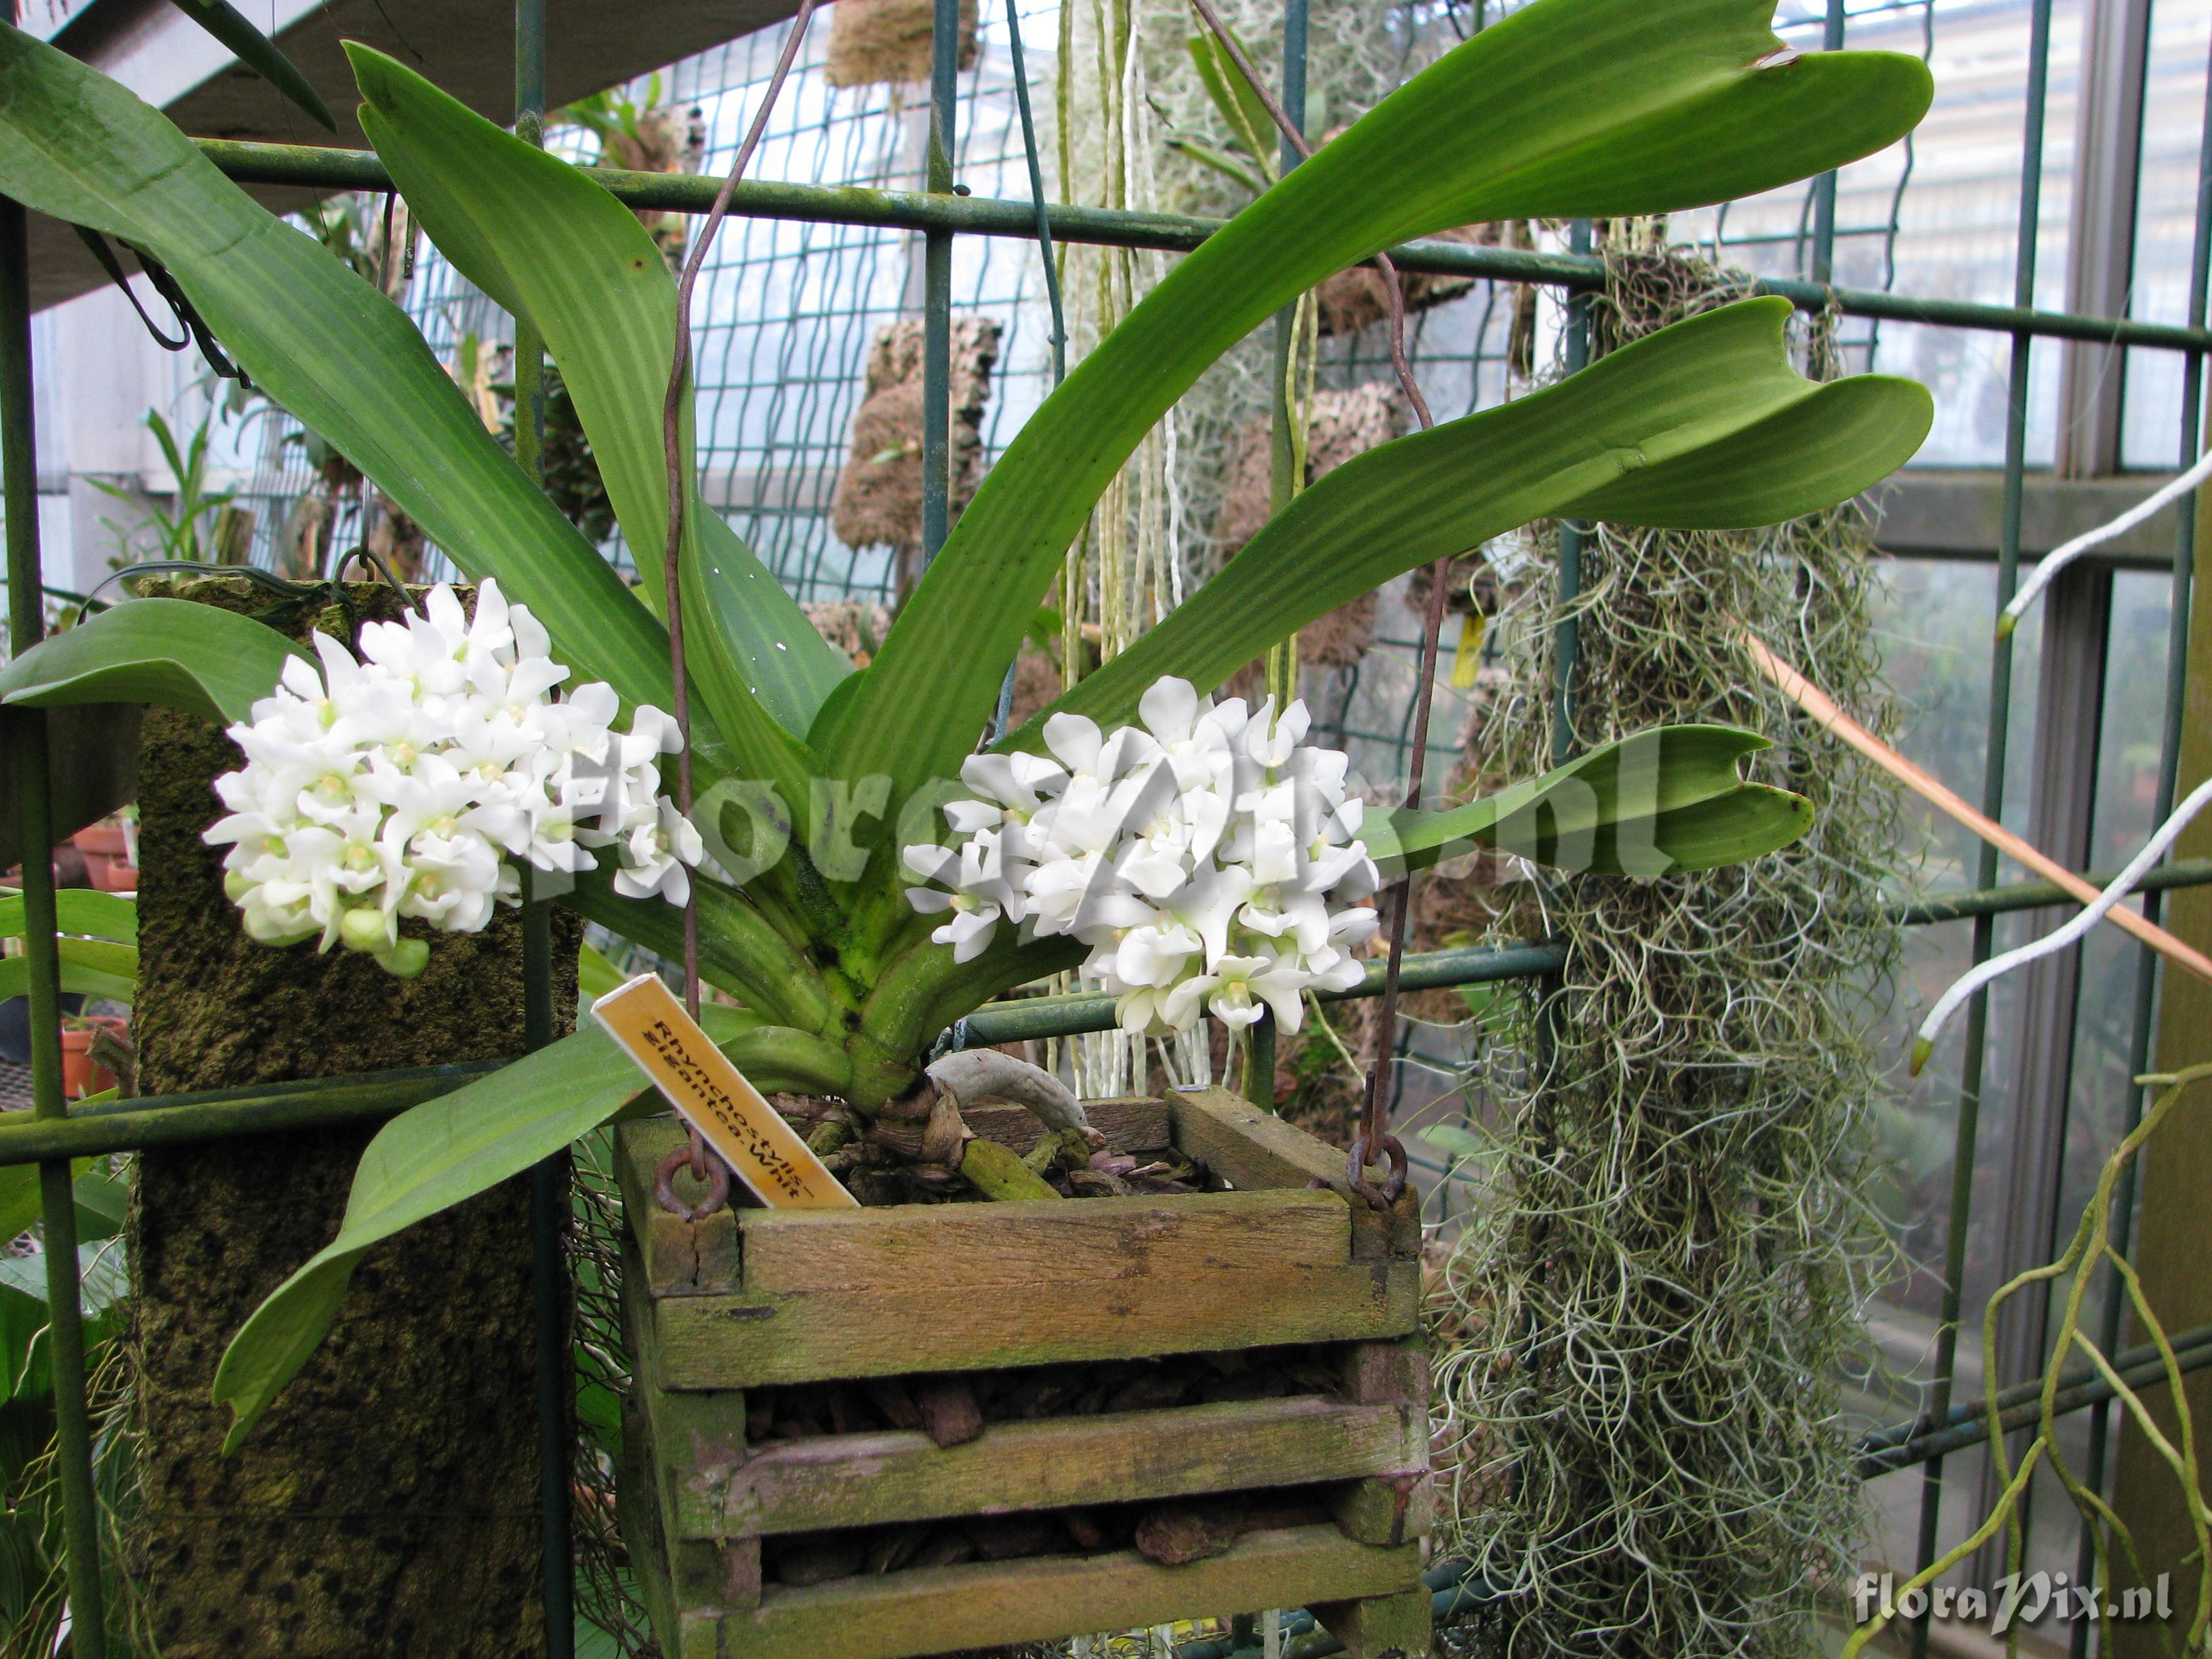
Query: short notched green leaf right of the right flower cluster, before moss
x,y
1647,806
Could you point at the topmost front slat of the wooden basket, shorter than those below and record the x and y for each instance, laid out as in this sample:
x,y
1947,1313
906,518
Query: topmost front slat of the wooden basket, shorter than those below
x,y
959,1251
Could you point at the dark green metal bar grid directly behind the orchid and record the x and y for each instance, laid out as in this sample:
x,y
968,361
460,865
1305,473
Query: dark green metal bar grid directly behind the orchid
x,y
54,1136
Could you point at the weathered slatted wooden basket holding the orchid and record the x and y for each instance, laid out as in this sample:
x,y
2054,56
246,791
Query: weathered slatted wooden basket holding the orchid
x,y
755,1300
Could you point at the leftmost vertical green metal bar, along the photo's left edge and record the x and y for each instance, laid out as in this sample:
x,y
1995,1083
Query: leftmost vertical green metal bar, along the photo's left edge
x,y
34,822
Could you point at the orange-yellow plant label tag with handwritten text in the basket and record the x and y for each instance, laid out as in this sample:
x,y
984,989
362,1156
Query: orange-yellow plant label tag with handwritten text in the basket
x,y
713,1096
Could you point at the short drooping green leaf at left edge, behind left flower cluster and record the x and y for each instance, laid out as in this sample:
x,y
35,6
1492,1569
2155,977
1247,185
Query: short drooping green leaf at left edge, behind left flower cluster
x,y
198,658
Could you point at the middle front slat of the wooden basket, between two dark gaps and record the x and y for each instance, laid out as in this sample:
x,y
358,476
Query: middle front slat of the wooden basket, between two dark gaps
x,y
873,1479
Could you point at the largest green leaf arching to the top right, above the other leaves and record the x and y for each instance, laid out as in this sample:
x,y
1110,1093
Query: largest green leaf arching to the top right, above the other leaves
x,y
1563,109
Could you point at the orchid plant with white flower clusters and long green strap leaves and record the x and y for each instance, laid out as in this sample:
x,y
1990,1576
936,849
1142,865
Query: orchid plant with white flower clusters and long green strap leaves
x,y
842,908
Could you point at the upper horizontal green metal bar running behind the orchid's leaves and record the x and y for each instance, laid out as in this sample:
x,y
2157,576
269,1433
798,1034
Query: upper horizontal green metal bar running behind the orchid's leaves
x,y
1180,233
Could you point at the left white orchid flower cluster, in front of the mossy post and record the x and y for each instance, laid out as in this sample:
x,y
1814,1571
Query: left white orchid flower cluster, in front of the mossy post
x,y
413,782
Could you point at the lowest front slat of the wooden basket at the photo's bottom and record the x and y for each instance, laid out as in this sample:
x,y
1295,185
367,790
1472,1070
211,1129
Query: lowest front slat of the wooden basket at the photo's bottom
x,y
1005,1603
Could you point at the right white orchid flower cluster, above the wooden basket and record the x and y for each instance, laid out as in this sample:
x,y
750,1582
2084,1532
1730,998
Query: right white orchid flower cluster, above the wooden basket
x,y
1207,857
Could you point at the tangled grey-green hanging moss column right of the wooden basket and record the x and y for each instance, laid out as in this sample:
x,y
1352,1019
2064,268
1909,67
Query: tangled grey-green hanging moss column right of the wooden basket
x,y
1647,1317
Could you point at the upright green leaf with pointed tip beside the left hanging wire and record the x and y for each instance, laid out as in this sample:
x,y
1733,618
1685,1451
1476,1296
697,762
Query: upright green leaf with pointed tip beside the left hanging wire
x,y
552,244
